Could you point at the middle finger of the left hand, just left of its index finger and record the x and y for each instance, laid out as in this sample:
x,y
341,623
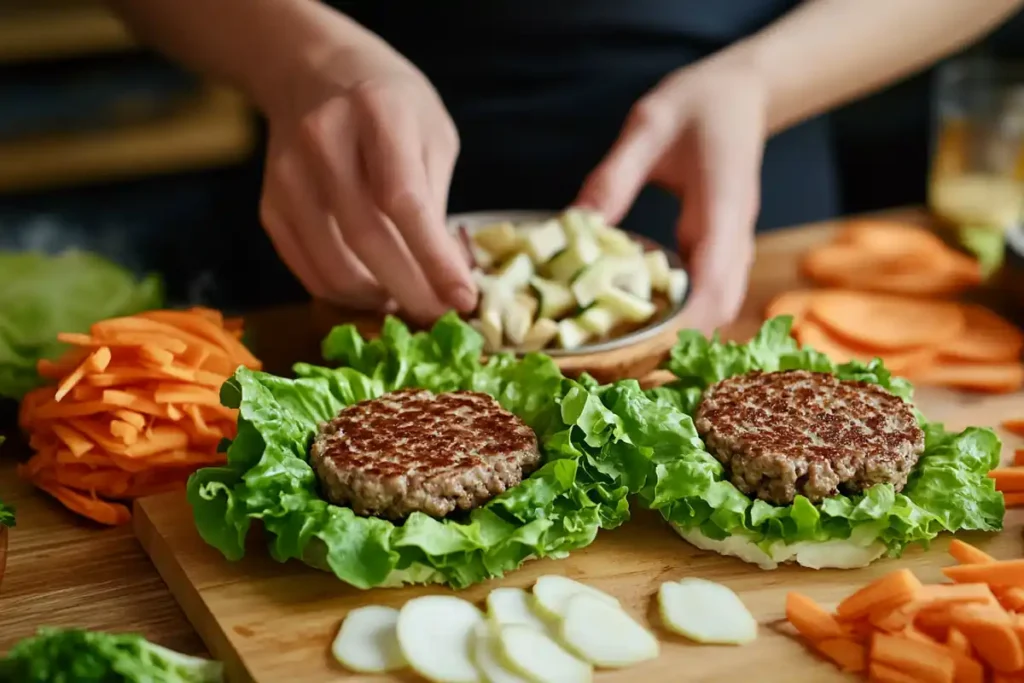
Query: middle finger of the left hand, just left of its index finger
x,y
330,143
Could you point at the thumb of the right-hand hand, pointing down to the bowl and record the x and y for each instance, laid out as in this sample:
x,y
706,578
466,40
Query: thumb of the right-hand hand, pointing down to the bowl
x,y
614,185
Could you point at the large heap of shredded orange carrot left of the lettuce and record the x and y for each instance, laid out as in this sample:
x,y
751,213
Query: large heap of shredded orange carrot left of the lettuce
x,y
135,411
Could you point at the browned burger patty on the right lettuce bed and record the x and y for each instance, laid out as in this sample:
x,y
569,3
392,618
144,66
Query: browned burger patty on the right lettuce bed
x,y
792,433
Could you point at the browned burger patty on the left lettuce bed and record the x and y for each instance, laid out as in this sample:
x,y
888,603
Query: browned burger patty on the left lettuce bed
x,y
412,450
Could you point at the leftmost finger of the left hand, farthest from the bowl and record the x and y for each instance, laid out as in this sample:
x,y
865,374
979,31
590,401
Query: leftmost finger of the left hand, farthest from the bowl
x,y
340,276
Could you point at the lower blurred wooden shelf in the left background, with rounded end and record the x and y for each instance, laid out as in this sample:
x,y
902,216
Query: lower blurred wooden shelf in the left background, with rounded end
x,y
217,131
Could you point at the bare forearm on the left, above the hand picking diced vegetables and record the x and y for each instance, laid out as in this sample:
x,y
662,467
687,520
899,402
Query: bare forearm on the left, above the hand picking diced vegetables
x,y
257,46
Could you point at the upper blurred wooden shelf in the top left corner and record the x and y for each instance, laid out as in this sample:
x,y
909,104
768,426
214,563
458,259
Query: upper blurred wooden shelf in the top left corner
x,y
54,30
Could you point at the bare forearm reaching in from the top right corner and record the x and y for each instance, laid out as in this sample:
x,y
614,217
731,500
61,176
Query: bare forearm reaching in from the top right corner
x,y
828,53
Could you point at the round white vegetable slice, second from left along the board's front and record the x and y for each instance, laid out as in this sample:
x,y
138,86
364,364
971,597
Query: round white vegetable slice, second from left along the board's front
x,y
436,633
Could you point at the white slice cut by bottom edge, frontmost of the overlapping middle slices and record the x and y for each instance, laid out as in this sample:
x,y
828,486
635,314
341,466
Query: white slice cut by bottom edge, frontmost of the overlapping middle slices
x,y
539,658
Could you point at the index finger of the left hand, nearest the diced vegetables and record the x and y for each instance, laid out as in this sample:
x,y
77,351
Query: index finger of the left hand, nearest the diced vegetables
x,y
397,155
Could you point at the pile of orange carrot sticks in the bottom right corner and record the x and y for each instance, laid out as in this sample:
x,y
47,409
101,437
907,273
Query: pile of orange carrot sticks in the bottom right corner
x,y
898,630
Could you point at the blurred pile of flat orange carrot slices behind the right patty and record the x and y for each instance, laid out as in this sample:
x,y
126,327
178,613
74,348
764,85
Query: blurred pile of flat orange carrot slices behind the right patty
x,y
883,280
